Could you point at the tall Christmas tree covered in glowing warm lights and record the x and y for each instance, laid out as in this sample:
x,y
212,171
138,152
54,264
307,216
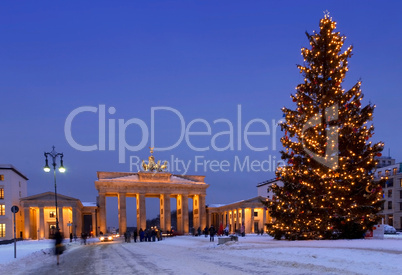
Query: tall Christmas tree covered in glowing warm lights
x,y
328,183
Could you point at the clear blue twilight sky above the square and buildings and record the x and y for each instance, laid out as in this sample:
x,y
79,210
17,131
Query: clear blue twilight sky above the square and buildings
x,y
201,61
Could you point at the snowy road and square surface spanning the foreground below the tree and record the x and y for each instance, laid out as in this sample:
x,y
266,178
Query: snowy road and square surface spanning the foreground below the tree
x,y
196,255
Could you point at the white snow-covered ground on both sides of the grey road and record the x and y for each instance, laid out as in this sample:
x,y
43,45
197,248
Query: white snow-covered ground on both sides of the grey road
x,y
250,255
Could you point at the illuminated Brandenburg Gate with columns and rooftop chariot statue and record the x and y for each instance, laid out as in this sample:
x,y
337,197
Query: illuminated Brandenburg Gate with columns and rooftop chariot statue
x,y
153,182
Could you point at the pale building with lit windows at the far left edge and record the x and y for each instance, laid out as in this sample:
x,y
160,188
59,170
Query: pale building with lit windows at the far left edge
x,y
13,186
